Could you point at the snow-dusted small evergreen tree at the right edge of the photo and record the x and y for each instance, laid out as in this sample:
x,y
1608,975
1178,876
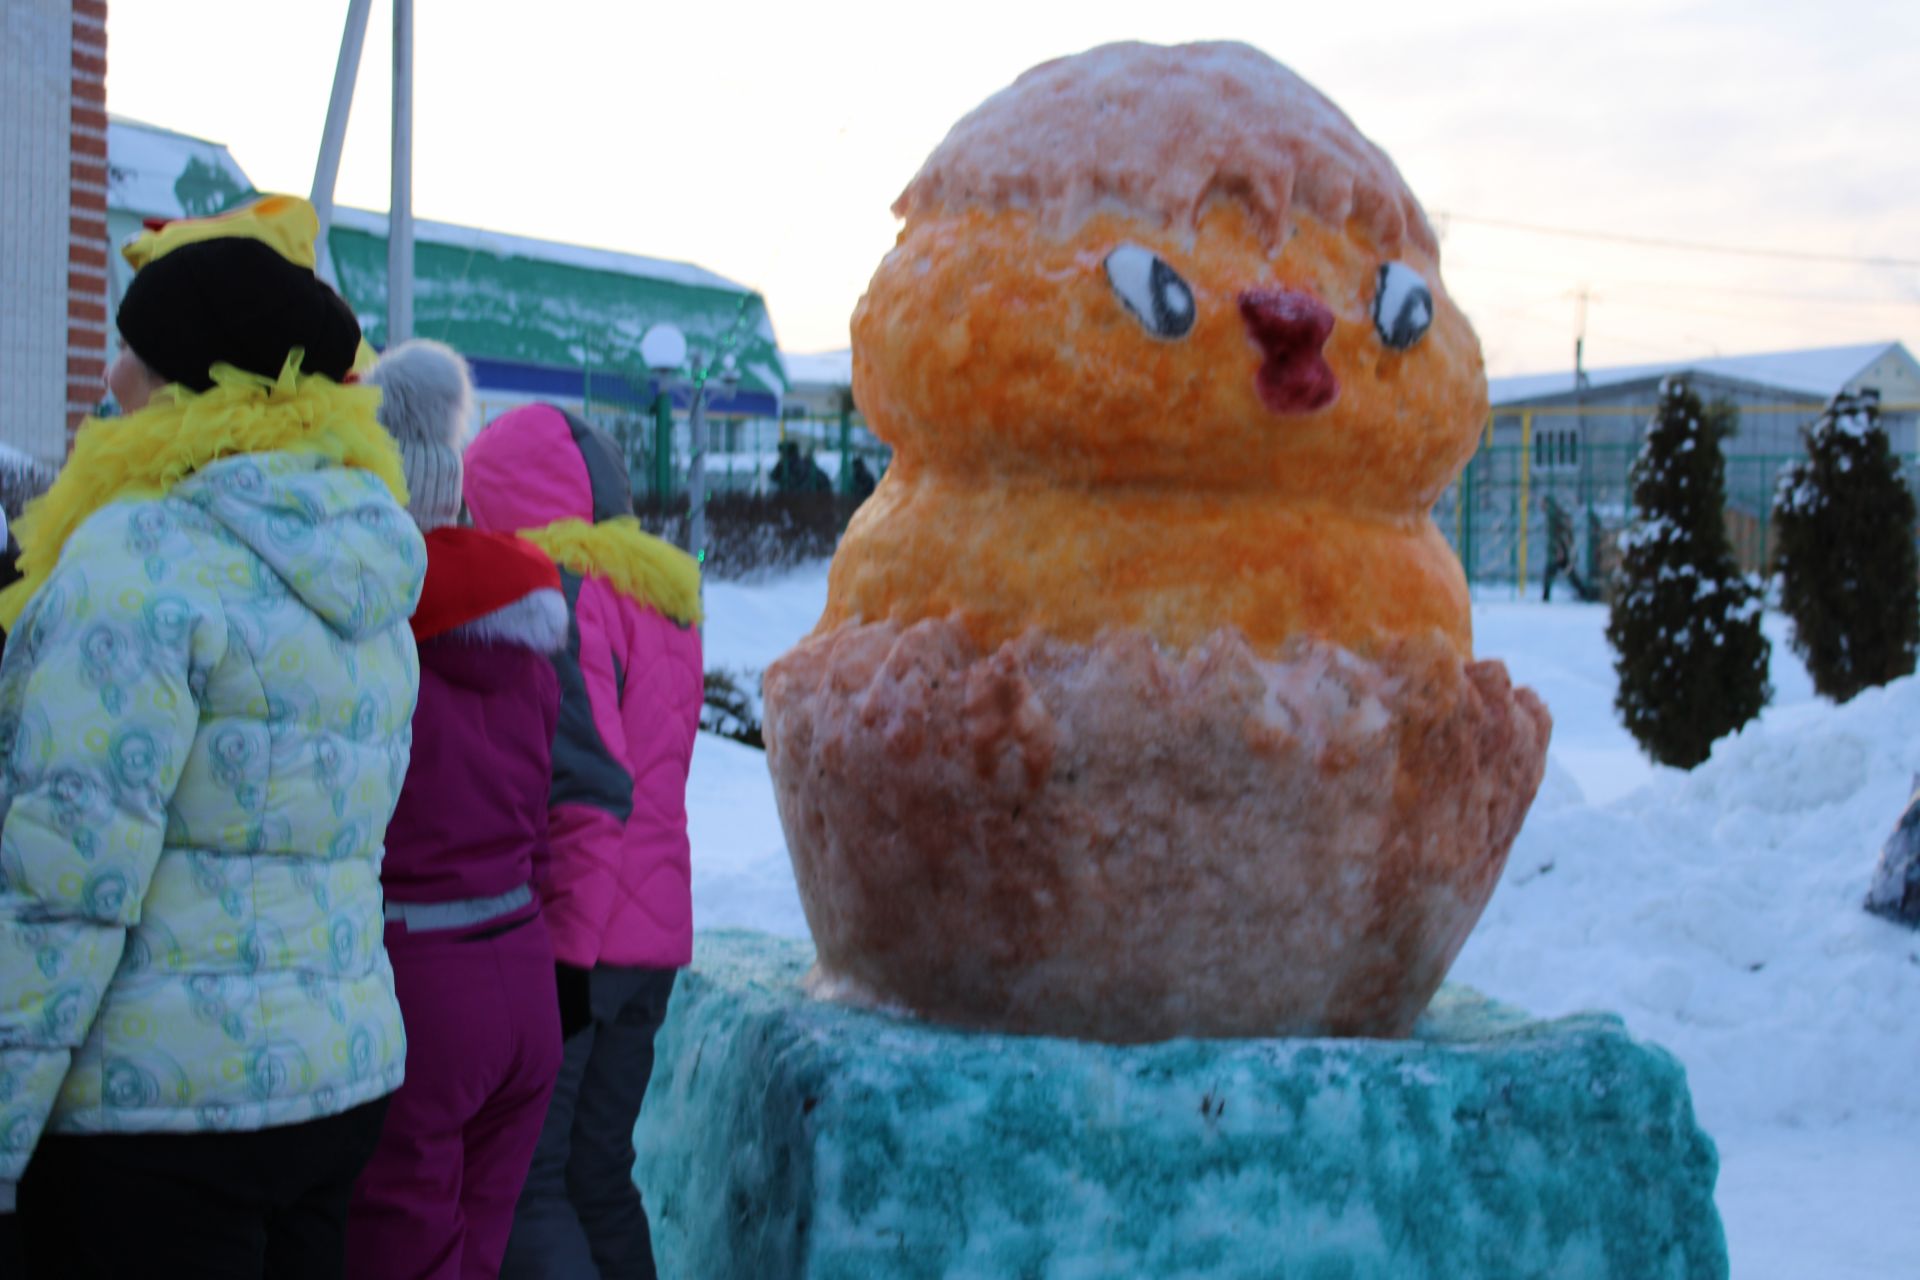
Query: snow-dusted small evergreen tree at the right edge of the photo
x,y
1850,579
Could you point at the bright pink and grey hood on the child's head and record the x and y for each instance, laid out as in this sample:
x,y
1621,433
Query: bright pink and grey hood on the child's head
x,y
537,465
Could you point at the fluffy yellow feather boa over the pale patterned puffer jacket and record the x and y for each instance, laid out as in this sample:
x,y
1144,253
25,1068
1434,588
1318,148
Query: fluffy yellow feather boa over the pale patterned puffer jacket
x,y
180,433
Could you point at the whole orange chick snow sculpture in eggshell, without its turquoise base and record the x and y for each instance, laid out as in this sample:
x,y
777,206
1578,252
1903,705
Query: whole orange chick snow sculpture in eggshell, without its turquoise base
x,y
1143,703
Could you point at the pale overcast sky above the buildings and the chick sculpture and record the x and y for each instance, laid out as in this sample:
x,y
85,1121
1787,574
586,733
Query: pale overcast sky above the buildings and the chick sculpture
x,y
767,139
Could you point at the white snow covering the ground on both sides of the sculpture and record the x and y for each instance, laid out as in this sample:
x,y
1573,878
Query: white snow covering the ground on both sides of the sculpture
x,y
1717,913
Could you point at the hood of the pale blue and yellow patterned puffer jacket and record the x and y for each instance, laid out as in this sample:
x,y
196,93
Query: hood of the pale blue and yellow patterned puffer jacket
x,y
331,536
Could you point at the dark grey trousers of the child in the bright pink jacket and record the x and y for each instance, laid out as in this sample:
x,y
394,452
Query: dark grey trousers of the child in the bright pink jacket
x,y
581,1214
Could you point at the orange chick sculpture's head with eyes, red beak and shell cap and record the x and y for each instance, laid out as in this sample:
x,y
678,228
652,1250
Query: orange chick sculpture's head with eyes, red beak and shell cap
x,y
1320,343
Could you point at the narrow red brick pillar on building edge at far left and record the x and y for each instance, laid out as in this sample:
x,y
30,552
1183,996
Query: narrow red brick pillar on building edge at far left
x,y
87,216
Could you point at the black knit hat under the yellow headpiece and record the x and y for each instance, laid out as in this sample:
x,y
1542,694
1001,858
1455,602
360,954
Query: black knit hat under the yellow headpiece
x,y
239,302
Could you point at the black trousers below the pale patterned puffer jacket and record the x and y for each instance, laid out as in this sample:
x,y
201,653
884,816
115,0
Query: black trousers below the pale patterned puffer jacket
x,y
258,1206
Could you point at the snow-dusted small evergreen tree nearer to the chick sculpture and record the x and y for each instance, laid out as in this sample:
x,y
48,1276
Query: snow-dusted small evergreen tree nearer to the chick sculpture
x,y
1685,623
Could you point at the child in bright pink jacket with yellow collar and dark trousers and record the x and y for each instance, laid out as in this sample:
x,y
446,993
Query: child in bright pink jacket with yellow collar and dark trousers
x,y
617,886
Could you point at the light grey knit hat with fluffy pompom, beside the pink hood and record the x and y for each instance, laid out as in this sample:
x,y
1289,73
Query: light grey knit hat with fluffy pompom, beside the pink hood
x,y
427,402
